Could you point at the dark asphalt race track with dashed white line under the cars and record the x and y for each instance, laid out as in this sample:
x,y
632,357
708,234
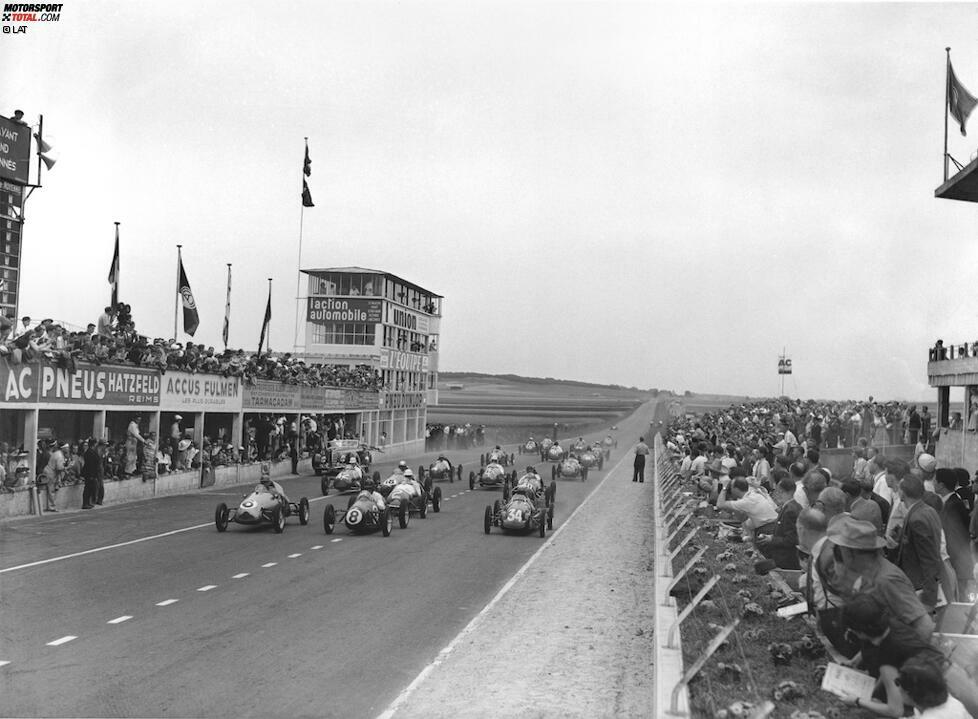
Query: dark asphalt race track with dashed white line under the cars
x,y
159,615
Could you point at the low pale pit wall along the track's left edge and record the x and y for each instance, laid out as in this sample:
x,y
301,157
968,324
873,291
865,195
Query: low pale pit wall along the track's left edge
x,y
21,502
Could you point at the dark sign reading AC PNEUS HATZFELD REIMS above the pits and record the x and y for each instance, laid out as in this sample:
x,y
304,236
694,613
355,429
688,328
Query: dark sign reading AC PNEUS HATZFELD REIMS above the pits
x,y
44,383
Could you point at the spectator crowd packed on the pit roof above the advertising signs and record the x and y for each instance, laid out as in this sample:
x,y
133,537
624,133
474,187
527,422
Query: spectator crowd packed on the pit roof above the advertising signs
x,y
114,340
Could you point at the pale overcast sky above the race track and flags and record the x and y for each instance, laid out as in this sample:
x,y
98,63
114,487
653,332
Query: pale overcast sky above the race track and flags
x,y
644,194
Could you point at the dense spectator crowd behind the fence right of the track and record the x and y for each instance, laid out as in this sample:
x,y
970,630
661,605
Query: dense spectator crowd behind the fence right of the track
x,y
878,551
